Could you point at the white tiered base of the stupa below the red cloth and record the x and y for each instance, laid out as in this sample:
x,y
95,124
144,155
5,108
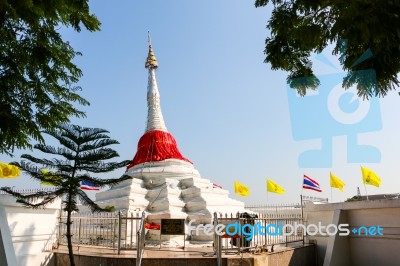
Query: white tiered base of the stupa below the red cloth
x,y
170,189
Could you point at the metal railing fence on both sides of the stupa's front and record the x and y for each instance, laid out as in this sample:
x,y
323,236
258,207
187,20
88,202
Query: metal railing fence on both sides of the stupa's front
x,y
126,231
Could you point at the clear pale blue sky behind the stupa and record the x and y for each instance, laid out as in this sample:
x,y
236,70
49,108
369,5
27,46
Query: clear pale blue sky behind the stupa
x,y
229,112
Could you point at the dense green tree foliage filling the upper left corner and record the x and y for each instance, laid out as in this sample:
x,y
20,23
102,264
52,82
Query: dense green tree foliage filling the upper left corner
x,y
37,76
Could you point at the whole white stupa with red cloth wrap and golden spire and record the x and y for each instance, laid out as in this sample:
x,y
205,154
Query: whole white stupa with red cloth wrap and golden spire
x,y
164,183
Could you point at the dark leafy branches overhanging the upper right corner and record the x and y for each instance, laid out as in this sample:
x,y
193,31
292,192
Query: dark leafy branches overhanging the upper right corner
x,y
371,29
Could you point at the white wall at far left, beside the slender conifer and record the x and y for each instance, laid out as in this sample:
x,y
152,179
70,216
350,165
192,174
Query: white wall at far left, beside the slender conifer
x,y
25,232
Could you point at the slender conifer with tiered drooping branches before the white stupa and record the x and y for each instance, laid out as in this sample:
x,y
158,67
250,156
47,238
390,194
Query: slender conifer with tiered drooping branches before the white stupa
x,y
84,151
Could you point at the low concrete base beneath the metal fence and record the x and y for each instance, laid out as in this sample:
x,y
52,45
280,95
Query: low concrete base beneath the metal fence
x,y
293,256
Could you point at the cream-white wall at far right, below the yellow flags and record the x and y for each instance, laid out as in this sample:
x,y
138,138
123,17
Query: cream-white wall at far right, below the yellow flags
x,y
354,249
